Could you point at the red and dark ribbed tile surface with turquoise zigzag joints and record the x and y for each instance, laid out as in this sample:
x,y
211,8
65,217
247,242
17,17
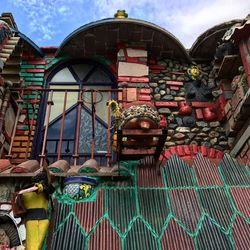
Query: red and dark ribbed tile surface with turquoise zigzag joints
x,y
200,207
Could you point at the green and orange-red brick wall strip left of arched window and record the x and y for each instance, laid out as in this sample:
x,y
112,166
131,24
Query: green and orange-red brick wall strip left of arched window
x,y
32,72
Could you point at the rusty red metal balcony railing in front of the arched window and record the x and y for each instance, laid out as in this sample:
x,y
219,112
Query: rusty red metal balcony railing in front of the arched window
x,y
44,97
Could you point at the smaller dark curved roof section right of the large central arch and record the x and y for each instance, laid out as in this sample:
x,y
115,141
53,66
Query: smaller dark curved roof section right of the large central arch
x,y
205,45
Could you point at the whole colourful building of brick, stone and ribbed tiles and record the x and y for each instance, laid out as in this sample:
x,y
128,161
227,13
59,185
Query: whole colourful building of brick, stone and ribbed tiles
x,y
159,135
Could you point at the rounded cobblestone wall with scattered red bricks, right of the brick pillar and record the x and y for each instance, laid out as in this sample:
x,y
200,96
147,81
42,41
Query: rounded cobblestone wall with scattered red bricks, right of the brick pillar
x,y
167,82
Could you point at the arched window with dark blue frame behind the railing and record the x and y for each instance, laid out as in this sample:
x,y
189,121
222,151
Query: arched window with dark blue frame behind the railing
x,y
84,75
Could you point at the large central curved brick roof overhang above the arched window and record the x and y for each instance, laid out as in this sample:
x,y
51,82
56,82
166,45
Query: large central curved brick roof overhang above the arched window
x,y
102,37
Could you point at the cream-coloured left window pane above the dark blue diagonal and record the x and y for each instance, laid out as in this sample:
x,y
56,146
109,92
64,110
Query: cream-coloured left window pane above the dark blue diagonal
x,y
58,99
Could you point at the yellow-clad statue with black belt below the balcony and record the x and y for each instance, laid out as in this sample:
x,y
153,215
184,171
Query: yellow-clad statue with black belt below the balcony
x,y
35,200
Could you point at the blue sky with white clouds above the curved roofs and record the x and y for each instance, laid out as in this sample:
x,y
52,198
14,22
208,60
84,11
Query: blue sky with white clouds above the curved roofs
x,y
48,22
